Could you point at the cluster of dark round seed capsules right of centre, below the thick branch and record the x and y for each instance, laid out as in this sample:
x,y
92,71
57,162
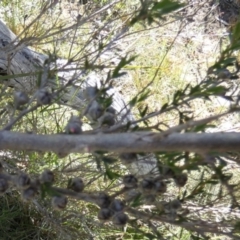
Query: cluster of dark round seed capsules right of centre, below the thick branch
x,y
150,187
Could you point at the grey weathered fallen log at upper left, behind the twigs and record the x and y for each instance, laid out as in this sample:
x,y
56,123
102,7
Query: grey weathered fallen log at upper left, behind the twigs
x,y
16,58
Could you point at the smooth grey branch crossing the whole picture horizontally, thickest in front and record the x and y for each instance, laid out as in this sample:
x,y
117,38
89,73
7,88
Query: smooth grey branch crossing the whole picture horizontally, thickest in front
x,y
121,142
